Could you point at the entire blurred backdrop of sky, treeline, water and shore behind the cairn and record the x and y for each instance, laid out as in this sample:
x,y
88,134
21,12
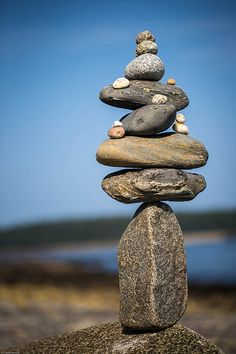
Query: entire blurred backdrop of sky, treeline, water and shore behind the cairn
x,y
58,230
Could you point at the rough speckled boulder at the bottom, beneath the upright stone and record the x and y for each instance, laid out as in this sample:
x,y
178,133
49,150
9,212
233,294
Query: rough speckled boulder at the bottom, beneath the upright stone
x,y
109,338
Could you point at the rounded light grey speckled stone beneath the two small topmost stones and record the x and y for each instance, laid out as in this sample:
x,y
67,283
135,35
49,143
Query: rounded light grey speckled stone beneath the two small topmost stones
x,y
145,67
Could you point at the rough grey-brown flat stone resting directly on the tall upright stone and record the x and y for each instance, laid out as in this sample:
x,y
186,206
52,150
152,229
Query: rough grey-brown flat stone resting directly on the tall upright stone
x,y
153,184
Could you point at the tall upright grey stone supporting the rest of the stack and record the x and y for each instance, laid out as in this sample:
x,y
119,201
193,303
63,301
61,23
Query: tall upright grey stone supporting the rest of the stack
x,y
152,270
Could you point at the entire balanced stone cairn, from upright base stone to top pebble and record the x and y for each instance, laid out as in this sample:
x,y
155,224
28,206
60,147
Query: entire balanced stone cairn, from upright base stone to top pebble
x,y
151,257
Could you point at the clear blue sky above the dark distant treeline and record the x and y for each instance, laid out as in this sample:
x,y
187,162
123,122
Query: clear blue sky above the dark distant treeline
x,y
56,56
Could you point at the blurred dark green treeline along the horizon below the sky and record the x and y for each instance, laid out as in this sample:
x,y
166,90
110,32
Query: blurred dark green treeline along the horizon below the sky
x,y
105,229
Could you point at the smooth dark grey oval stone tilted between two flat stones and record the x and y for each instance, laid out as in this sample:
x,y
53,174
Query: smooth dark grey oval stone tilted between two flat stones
x,y
149,119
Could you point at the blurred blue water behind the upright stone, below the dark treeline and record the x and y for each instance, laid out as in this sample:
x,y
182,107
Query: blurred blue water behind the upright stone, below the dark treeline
x,y
213,262
